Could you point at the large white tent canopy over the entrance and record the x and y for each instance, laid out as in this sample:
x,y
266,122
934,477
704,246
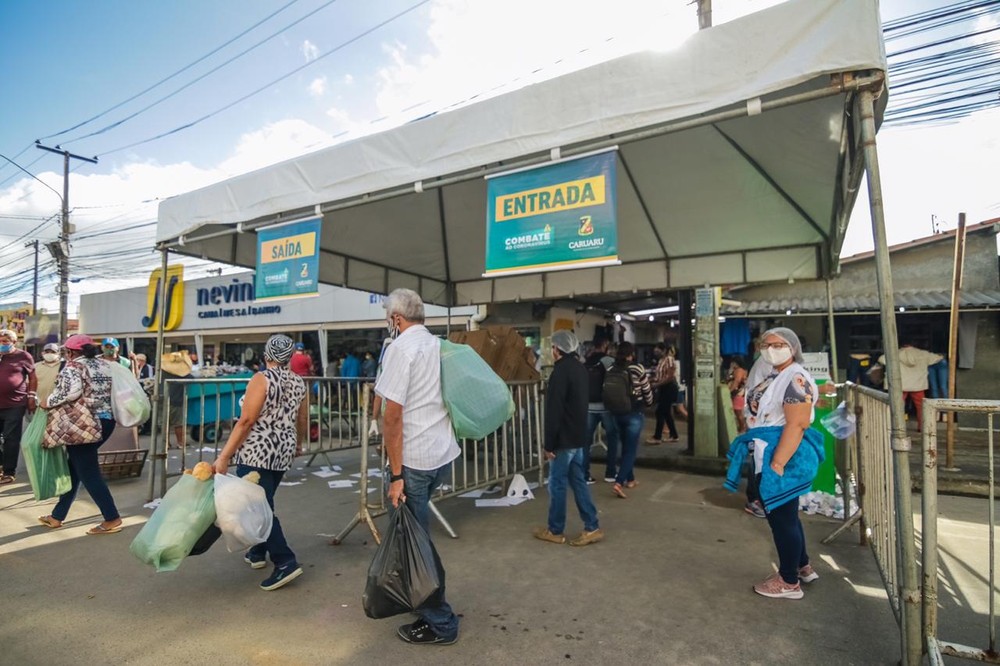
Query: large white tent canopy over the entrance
x,y
738,161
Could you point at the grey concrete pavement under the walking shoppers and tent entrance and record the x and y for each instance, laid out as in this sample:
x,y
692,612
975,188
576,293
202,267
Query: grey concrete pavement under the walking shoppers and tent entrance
x,y
669,585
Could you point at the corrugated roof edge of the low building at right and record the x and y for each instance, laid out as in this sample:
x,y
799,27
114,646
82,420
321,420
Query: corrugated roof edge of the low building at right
x,y
915,299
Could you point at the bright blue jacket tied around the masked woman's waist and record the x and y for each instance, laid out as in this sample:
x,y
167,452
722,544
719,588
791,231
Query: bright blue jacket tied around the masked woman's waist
x,y
800,470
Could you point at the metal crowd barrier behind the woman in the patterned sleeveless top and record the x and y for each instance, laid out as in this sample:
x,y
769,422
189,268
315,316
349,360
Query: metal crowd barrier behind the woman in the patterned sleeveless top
x,y
211,406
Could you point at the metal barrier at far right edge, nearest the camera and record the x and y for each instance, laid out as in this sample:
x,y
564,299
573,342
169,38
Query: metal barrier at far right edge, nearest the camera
x,y
934,646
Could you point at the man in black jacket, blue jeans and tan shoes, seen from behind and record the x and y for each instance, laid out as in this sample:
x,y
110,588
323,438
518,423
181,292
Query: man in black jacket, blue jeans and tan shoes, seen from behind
x,y
565,438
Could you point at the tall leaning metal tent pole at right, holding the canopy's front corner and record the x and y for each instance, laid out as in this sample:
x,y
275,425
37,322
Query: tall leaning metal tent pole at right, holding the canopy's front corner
x,y
910,644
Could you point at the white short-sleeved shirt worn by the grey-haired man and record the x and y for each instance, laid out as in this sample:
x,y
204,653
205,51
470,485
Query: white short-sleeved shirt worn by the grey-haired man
x,y
411,376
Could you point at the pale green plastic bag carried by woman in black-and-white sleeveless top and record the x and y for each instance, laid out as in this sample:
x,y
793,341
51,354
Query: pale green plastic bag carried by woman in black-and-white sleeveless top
x,y
186,511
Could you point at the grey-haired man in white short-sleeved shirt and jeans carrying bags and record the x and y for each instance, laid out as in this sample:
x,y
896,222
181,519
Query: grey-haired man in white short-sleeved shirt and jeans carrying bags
x,y
418,437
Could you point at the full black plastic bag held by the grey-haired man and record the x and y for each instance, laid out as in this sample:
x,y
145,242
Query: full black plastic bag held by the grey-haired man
x,y
406,572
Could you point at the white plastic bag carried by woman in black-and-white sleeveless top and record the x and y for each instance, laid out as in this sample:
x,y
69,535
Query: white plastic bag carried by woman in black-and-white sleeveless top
x,y
241,512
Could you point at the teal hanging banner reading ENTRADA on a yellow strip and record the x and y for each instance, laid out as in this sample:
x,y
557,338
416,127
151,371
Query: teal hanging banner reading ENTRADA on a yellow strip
x,y
554,217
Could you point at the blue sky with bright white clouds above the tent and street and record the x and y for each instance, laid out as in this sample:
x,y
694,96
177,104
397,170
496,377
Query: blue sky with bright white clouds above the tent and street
x,y
65,61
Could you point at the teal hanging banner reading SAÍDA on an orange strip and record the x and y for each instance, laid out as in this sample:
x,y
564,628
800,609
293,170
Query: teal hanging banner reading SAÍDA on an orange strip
x,y
288,260
